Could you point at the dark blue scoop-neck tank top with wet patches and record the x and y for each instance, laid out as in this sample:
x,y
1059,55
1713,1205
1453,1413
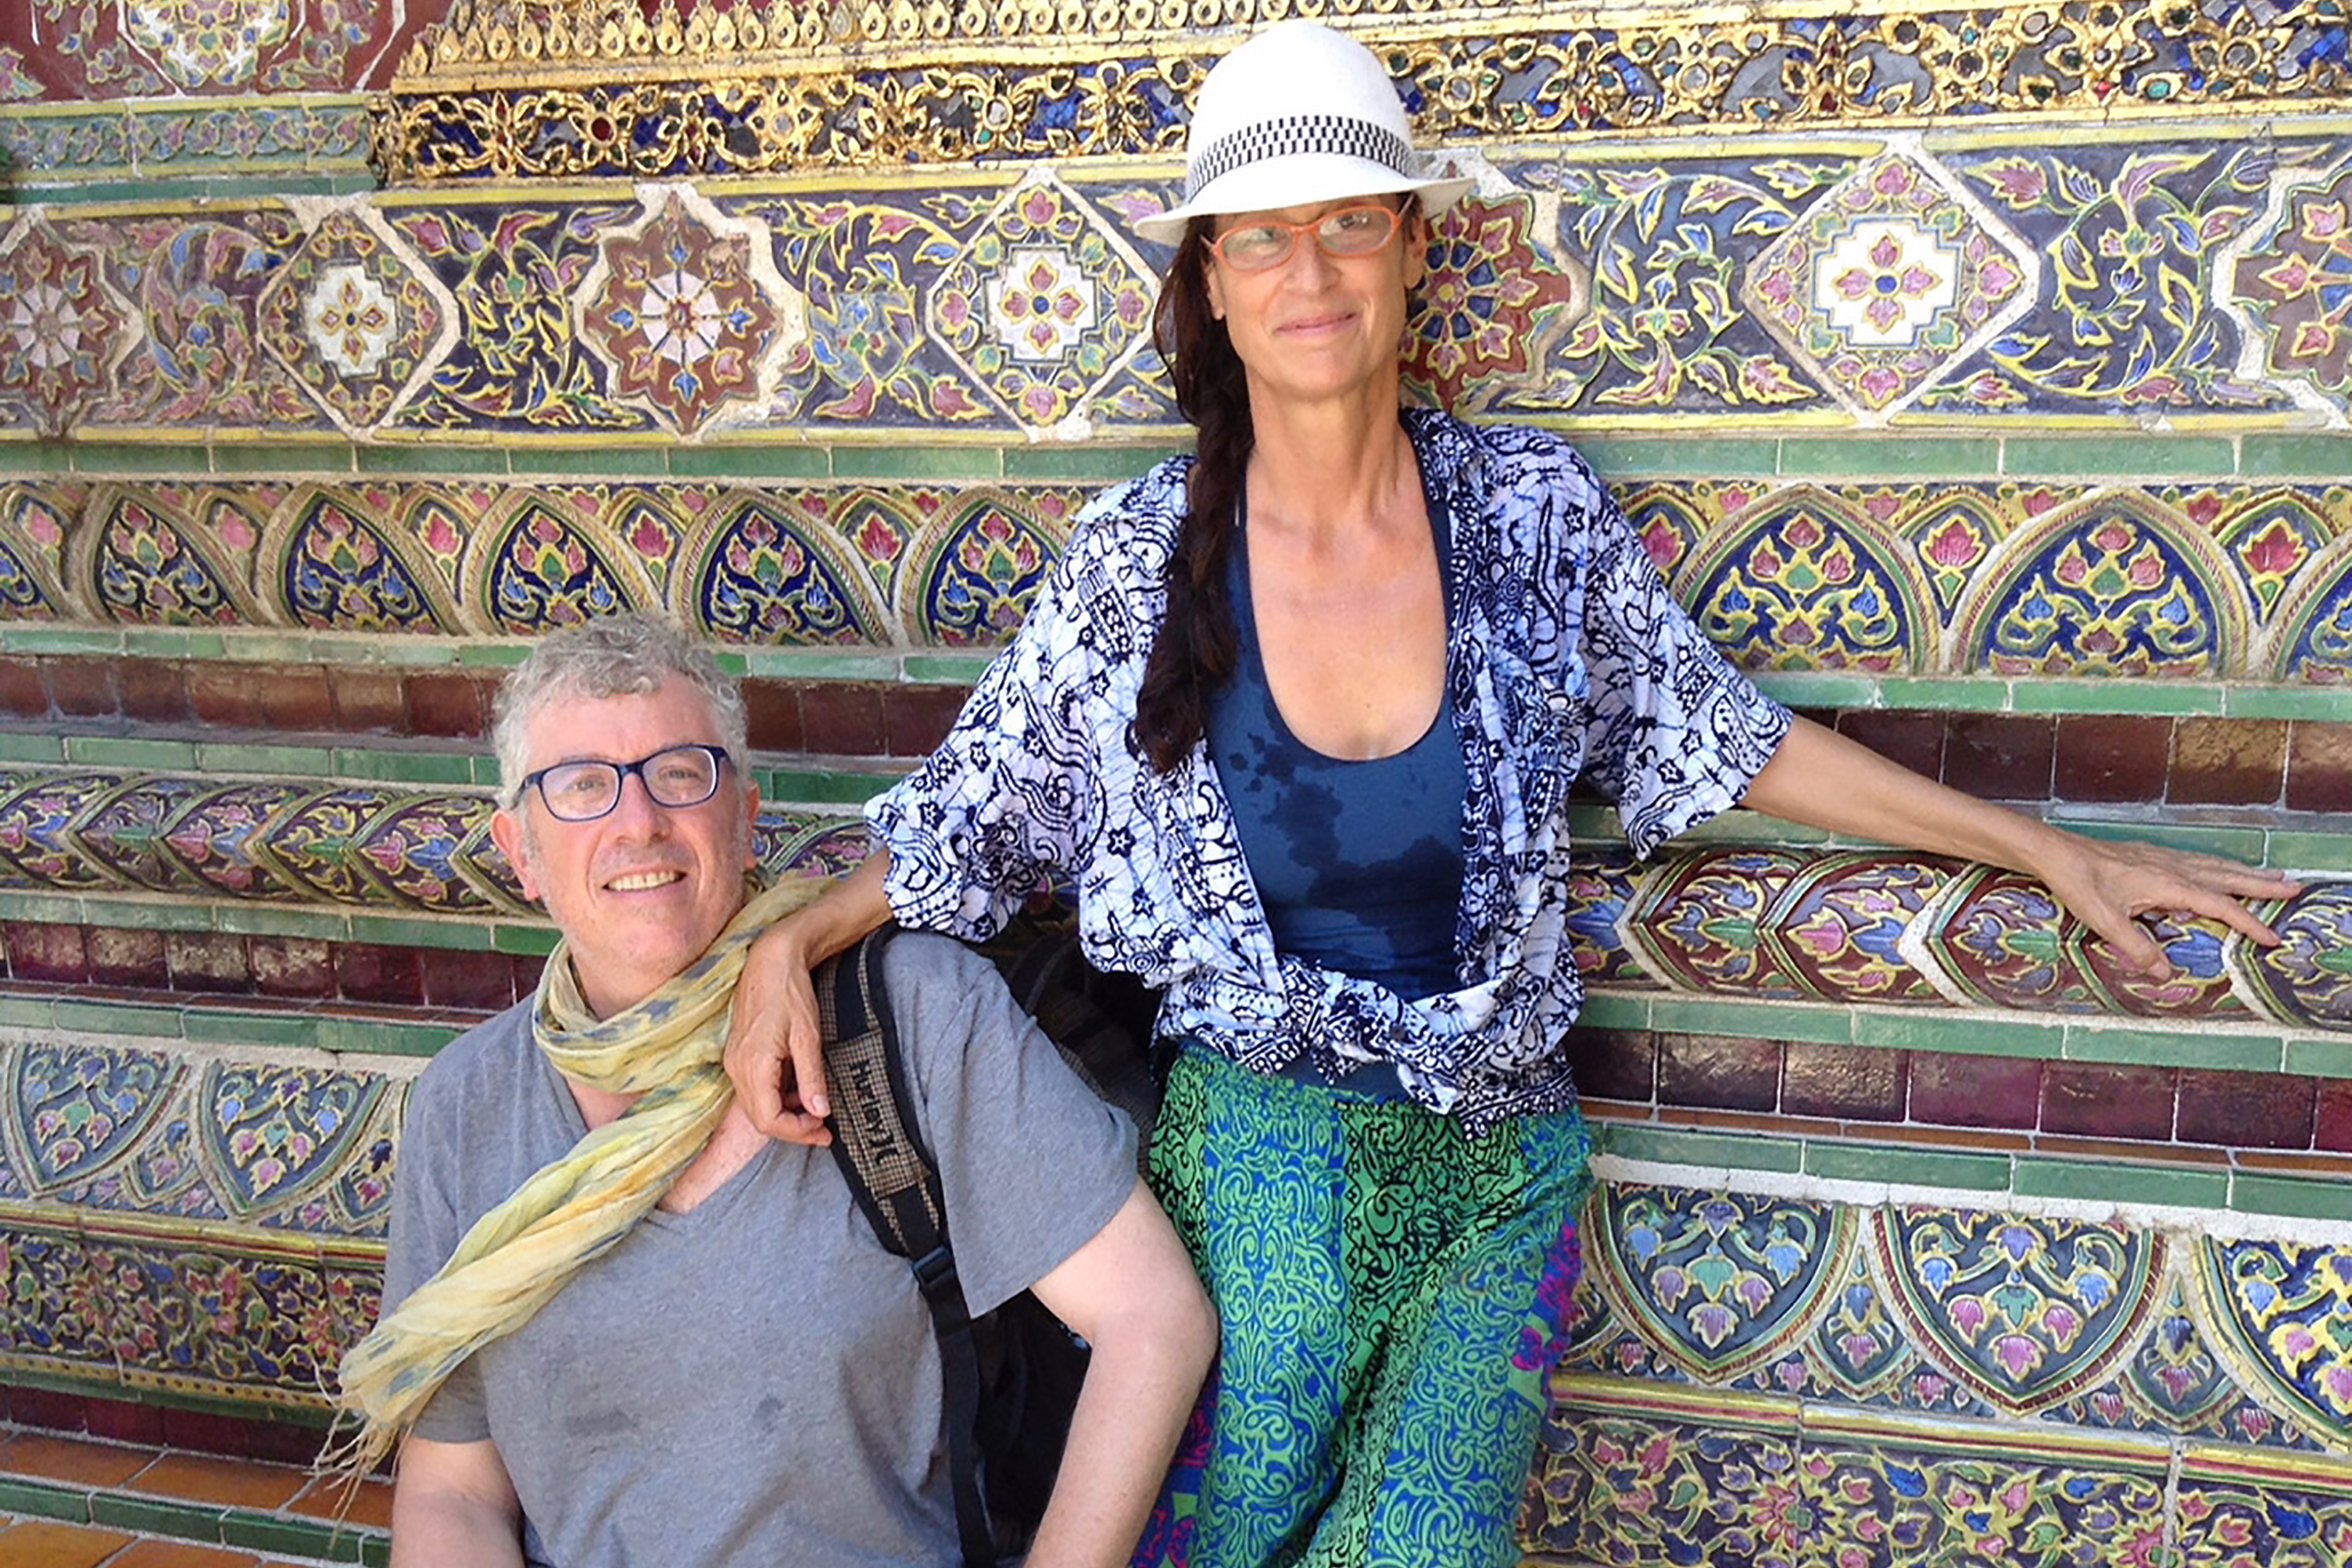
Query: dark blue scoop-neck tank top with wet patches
x,y
1358,864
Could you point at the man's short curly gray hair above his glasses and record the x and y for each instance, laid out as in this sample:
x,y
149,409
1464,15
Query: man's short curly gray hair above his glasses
x,y
629,655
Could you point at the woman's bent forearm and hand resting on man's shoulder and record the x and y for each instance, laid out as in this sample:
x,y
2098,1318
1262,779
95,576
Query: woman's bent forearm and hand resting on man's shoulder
x,y
775,1050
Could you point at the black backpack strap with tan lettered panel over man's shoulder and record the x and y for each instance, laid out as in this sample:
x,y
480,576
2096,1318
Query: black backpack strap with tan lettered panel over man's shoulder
x,y
897,1186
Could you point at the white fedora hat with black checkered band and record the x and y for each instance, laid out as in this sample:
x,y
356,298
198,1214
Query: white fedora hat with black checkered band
x,y
1297,114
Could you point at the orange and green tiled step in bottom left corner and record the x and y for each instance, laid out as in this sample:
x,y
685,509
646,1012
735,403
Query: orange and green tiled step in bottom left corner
x,y
81,1503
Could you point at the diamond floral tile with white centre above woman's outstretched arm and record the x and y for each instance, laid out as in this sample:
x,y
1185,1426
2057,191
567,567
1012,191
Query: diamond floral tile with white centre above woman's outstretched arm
x,y
1887,281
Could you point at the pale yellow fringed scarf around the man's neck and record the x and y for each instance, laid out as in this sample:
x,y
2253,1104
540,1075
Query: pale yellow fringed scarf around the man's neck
x,y
526,1249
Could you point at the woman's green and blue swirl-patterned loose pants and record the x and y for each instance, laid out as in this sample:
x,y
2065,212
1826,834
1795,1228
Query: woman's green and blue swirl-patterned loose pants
x,y
1391,1299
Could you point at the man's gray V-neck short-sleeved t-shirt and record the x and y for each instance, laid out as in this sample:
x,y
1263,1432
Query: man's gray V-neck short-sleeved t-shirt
x,y
754,1381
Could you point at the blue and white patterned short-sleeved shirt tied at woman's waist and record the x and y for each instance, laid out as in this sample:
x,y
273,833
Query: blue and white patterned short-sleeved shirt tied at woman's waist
x,y
1565,657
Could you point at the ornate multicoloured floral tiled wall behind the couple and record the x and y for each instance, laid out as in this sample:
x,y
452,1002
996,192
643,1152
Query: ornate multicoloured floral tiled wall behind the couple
x,y
1975,375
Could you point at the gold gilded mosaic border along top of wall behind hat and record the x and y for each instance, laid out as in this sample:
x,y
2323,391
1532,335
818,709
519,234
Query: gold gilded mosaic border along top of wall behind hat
x,y
596,88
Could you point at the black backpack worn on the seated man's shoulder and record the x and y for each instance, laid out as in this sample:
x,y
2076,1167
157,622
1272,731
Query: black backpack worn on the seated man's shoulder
x,y
1013,1374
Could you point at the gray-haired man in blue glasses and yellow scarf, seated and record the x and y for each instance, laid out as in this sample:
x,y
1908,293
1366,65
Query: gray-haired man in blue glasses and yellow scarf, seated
x,y
674,1341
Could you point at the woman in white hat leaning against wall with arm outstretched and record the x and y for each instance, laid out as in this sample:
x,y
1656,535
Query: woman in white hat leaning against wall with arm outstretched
x,y
1297,723
